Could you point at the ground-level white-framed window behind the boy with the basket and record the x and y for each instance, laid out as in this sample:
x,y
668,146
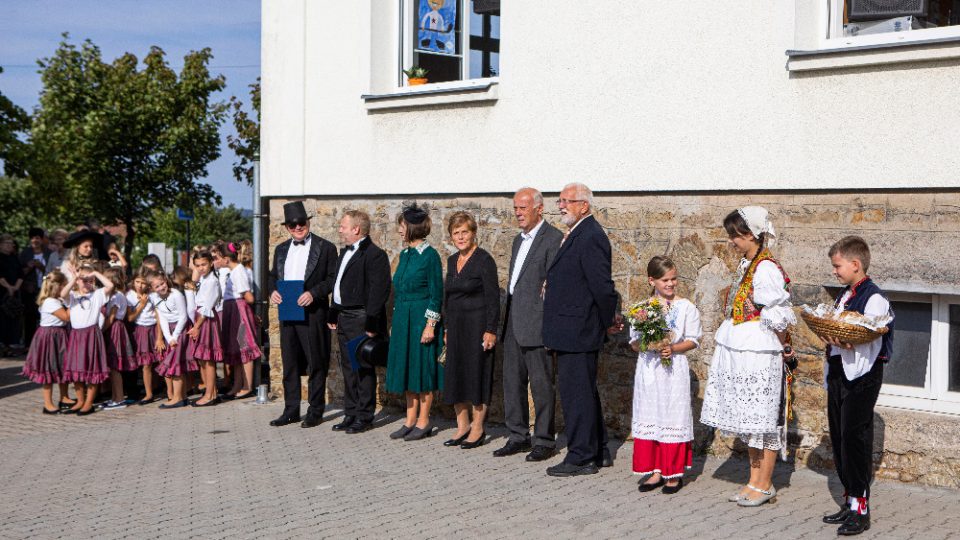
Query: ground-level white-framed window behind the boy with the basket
x,y
924,369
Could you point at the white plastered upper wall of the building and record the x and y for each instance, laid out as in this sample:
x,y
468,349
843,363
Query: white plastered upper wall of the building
x,y
622,95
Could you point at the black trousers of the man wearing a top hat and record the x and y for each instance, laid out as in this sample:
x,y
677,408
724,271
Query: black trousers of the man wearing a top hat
x,y
305,347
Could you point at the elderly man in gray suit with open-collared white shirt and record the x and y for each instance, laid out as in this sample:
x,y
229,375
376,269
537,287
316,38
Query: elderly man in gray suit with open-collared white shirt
x,y
525,360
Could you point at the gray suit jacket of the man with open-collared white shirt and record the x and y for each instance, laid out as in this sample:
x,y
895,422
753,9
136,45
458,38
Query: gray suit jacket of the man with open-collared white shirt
x,y
526,305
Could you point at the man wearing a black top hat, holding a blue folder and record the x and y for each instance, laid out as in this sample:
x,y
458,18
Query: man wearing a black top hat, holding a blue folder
x,y
304,345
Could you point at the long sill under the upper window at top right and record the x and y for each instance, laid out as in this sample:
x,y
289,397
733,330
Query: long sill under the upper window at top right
x,y
874,54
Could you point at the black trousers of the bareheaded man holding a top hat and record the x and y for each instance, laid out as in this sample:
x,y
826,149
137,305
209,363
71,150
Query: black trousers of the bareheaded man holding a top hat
x,y
360,386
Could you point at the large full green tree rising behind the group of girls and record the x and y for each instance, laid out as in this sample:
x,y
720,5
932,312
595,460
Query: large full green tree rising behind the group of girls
x,y
115,141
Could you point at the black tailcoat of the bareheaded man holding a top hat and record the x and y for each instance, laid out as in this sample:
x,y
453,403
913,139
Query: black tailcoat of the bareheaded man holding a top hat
x,y
365,283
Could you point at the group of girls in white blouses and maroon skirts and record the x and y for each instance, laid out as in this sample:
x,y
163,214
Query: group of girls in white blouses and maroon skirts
x,y
94,328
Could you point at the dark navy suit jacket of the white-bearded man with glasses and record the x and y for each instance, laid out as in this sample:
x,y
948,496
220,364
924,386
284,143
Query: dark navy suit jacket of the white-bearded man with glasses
x,y
580,302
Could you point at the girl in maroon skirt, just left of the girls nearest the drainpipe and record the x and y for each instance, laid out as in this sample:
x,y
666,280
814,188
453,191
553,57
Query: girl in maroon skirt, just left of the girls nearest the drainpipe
x,y
204,346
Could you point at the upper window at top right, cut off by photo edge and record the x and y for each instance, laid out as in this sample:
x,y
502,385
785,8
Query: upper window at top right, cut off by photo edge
x,y
853,23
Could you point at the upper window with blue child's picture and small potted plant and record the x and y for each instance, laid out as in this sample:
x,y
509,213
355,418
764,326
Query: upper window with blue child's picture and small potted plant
x,y
453,40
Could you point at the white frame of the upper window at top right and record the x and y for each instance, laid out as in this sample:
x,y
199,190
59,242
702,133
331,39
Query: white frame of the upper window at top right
x,y
831,17
